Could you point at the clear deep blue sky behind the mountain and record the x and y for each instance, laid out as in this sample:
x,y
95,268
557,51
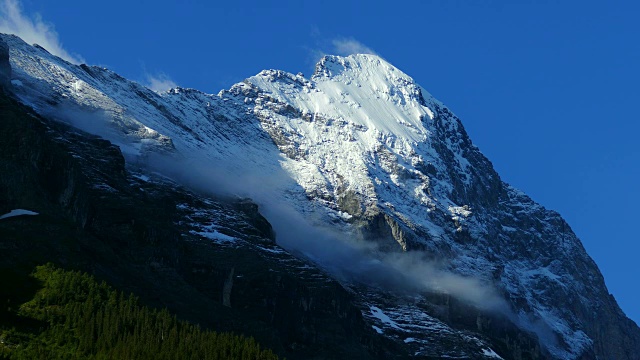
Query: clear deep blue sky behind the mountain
x,y
547,89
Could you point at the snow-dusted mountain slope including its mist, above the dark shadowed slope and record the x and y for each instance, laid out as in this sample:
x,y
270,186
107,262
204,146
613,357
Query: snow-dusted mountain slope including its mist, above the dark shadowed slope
x,y
361,148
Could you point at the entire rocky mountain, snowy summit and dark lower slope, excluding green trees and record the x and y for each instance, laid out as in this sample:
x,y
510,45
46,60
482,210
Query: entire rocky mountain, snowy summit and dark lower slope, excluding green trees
x,y
385,226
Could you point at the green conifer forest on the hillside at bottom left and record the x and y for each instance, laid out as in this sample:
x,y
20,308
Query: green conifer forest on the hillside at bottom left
x,y
72,316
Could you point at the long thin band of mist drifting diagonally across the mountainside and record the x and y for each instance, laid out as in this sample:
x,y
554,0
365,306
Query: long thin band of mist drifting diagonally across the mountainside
x,y
303,230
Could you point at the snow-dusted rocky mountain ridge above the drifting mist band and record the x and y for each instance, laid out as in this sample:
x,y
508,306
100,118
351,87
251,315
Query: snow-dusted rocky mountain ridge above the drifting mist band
x,y
405,174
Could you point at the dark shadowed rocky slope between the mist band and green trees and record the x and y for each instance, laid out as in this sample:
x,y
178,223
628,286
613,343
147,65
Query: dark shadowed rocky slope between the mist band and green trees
x,y
211,260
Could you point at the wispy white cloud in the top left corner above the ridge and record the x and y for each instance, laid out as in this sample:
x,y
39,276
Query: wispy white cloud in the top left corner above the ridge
x,y
32,30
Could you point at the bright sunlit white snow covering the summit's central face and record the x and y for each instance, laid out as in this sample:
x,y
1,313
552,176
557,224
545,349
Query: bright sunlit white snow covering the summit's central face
x,y
363,125
